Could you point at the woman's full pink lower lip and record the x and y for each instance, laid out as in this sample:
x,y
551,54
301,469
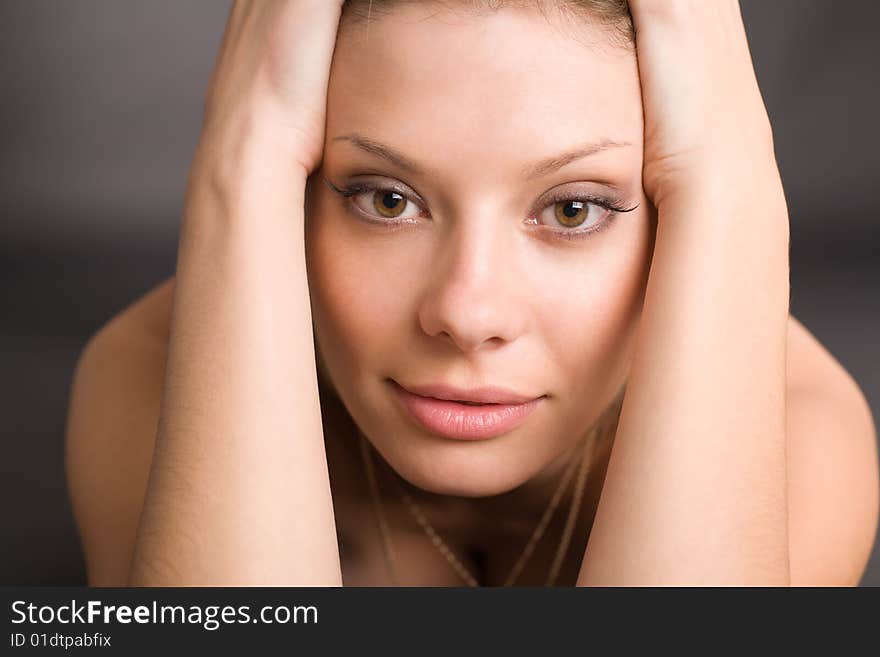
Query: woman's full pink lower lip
x,y
454,420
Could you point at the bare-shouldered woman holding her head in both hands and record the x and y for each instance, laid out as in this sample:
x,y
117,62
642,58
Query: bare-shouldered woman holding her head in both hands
x,y
512,238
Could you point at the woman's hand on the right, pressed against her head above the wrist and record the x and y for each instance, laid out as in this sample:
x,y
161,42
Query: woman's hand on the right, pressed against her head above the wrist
x,y
705,120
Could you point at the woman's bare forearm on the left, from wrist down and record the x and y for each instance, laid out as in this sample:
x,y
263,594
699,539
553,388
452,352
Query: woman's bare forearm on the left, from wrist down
x,y
239,489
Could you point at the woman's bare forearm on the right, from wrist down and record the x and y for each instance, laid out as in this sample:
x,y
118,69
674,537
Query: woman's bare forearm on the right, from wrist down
x,y
695,491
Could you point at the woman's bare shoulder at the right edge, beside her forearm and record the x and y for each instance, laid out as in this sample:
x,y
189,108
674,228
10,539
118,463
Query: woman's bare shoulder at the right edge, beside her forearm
x,y
833,481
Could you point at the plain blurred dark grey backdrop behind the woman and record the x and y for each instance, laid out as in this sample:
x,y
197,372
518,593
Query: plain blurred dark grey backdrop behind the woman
x,y
100,108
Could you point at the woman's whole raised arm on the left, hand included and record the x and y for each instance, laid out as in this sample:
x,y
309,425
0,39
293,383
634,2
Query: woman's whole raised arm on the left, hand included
x,y
239,492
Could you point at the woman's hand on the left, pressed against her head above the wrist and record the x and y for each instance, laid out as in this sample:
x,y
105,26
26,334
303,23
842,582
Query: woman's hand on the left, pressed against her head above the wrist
x,y
271,76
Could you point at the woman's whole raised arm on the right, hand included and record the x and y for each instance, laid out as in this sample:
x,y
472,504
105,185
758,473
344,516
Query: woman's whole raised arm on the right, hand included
x,y
695,491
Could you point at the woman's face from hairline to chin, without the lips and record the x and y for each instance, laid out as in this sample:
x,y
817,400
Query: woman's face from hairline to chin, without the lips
x,y
481,285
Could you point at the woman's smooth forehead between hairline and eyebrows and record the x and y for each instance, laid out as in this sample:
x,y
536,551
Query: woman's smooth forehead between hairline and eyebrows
x,y
489,86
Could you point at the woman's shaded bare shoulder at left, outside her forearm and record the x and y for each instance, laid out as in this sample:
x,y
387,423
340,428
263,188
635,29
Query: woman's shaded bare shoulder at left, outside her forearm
x,y
112,421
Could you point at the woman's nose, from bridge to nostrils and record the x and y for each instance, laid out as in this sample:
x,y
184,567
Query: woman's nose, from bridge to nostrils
x,y
475,291
